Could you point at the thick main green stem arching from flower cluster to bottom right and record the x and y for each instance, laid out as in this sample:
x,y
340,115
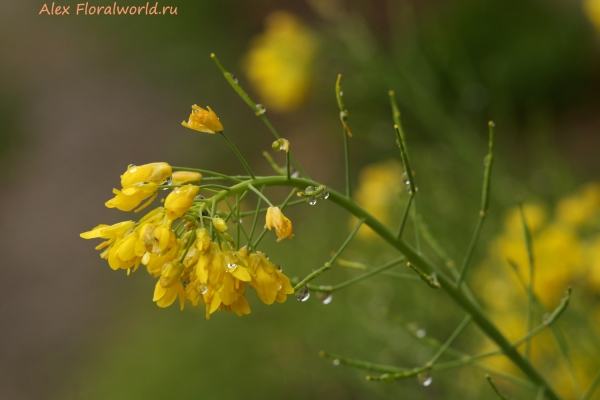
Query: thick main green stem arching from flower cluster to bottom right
x,y
447,284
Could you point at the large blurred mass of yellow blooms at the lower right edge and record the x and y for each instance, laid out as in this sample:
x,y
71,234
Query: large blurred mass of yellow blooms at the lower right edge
x,y
566,250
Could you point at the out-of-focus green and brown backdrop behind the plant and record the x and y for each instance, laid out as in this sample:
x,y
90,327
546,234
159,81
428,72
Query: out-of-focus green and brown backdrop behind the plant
x,y
82,97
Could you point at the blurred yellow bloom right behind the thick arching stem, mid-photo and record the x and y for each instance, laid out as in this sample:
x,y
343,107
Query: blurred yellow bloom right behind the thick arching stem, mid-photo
x,y
379,187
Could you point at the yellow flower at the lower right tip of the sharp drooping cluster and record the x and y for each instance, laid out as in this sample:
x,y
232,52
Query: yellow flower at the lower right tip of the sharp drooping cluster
x,y
270,283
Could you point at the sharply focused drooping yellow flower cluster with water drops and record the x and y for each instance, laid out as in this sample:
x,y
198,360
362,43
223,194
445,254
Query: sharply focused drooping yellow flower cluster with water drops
x,y
188,263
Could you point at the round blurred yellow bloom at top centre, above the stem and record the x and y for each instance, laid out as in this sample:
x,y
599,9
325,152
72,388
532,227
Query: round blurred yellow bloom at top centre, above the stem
x,y
280,60
